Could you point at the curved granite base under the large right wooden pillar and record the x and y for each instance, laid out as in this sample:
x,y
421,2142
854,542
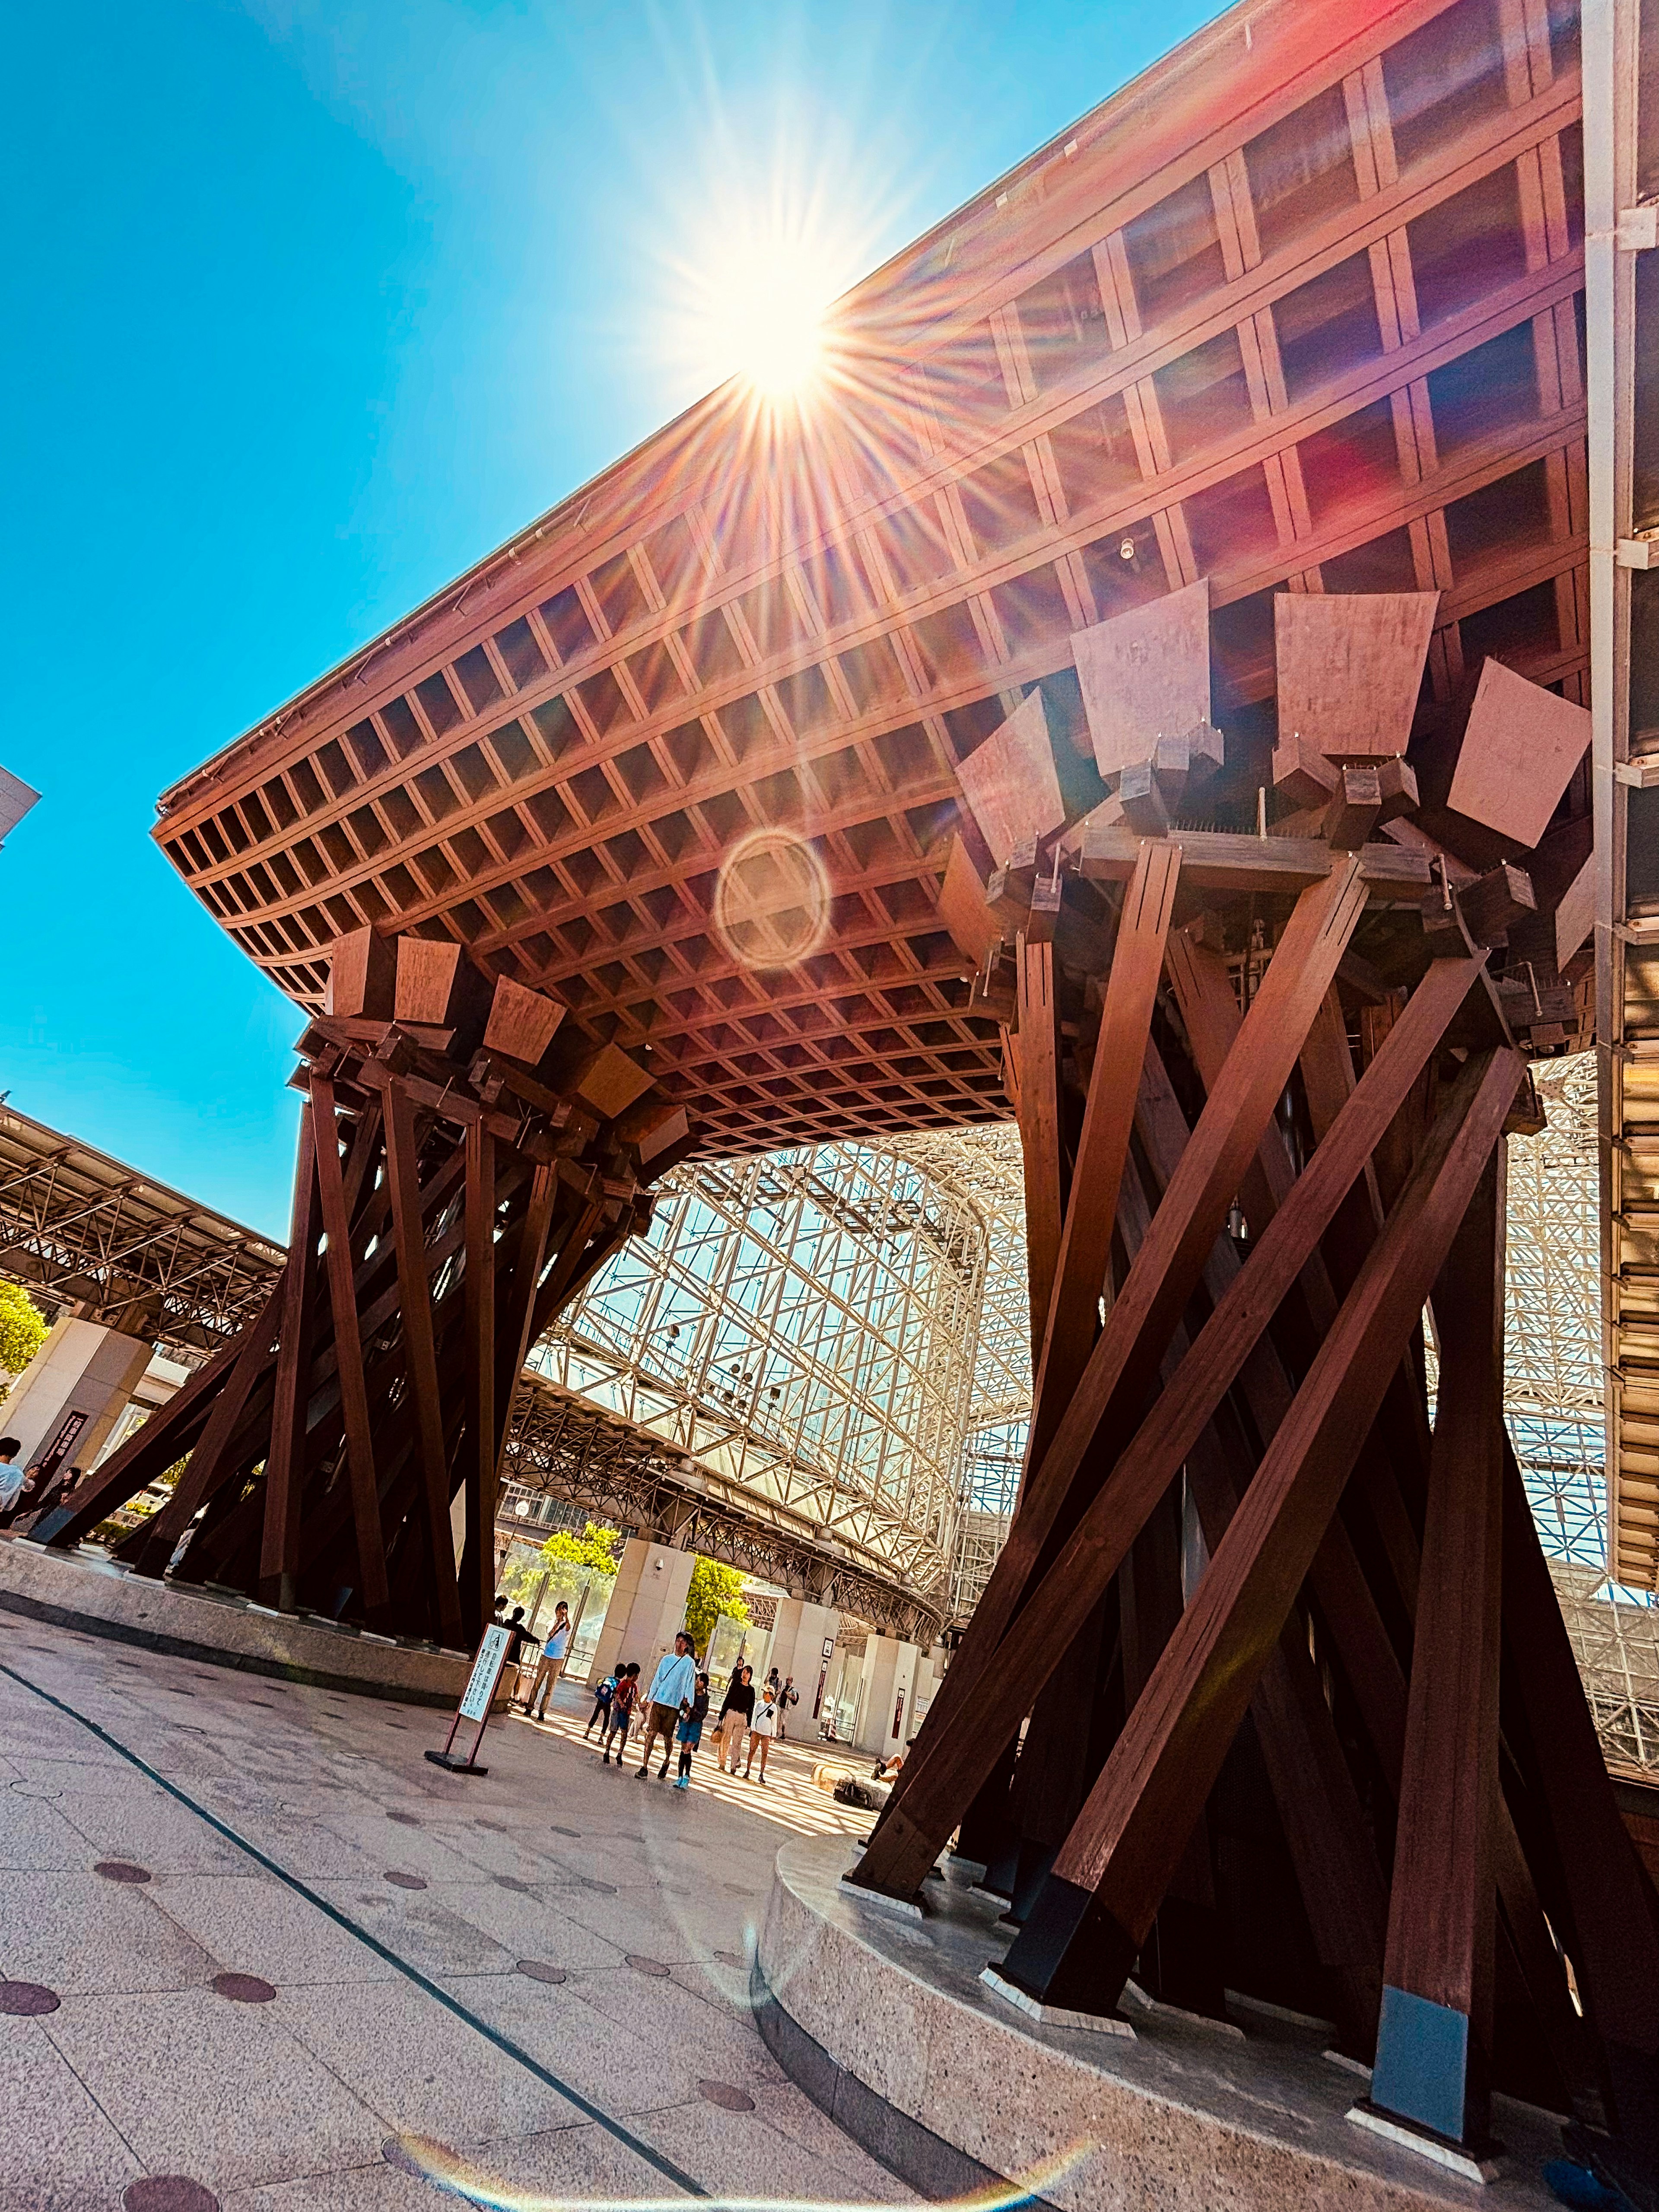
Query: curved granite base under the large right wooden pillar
x,y
886,2025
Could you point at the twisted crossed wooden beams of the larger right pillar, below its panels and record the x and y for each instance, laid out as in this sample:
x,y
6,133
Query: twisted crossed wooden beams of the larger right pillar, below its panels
x,y
1231,1255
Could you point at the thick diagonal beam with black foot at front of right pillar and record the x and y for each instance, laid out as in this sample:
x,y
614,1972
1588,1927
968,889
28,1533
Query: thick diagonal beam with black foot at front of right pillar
x,y
1092,1917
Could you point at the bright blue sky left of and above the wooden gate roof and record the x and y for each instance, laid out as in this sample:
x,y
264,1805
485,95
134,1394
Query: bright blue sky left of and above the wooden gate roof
x,y
311,306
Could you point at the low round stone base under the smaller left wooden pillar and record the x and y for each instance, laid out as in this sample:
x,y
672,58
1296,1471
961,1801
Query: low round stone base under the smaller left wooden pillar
x,y
87,1592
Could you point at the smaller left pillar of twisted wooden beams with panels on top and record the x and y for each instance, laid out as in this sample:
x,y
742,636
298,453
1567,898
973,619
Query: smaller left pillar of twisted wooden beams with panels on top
x,y
463,1171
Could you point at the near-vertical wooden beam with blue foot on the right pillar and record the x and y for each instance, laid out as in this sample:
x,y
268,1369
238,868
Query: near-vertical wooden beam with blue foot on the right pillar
x,y
1434,2038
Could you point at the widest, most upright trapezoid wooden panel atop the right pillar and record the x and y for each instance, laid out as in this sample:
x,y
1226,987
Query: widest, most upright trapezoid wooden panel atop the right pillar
x,y
1350,669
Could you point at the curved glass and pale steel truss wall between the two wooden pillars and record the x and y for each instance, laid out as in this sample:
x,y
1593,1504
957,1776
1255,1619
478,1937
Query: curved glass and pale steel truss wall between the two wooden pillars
x,y
804,1326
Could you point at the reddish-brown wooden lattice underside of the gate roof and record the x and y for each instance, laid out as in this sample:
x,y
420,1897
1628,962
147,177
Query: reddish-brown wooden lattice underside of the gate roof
x,y
1297,311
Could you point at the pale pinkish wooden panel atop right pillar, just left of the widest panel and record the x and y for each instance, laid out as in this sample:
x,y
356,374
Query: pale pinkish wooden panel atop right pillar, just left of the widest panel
x,y
1147,676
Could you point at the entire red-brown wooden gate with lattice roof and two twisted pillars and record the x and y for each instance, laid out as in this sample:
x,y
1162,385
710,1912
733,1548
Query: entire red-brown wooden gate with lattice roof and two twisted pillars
x,y
1142,689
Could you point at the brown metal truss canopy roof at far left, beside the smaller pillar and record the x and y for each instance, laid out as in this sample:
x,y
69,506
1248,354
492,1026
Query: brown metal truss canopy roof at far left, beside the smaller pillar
x,y
125,1249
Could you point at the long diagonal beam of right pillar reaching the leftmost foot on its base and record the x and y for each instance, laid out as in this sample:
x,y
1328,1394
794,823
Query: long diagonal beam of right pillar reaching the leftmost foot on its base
x,y
954,1760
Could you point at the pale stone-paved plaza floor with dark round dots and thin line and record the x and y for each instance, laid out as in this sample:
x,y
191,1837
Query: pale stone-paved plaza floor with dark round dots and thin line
x,y
255,1950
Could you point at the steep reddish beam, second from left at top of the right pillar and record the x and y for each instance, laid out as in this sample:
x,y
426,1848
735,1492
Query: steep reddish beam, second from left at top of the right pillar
x,y
1109,1116
